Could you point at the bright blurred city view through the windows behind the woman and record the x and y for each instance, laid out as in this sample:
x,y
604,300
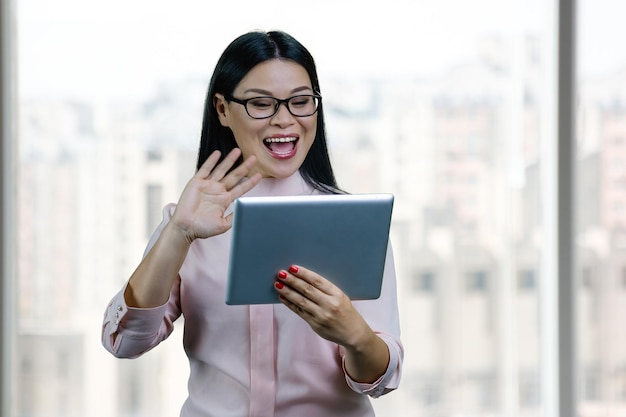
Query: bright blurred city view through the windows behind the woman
x,y
450,105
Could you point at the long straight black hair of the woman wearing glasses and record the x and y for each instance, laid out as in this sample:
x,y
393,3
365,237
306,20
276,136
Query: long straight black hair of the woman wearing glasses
x,y
243,54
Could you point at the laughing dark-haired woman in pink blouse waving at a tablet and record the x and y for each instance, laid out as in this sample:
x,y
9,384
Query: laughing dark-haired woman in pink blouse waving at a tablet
x,y
314,353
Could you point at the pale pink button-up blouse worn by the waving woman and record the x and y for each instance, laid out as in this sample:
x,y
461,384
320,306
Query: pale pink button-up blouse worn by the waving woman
x,y
258,360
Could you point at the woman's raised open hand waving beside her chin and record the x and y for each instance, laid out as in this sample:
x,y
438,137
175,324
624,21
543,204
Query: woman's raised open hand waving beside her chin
x,y
200,210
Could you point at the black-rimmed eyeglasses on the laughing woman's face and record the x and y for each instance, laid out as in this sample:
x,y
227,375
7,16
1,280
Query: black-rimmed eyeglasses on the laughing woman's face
x,y
265,107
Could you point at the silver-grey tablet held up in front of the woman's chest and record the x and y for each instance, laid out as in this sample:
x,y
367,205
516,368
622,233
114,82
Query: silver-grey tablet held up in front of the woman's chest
x,y
342,237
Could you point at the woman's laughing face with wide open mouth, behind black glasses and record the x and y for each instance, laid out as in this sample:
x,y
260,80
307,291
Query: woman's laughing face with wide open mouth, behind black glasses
x,y
280,142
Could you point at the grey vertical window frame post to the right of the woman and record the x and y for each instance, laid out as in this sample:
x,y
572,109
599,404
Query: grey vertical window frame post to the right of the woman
x,y
562,215
